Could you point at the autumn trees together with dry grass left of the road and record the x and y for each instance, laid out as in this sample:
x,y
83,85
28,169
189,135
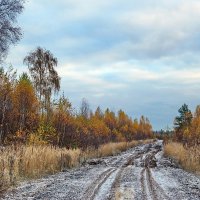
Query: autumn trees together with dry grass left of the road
x,y
41,135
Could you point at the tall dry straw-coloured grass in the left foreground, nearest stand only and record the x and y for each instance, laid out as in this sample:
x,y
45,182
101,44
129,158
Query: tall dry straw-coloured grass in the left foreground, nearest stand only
x,y
18,163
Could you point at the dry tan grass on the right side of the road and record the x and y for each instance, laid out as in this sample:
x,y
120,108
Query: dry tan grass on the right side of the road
x,y
188,158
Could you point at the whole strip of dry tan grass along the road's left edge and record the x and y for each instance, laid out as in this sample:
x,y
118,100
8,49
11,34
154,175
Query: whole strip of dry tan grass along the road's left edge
x,y
28,162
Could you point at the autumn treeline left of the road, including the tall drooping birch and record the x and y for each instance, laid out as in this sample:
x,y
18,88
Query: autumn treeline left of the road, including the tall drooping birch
x,y
29,115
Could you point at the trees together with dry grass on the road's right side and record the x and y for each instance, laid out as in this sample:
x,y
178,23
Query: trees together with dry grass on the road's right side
x,y
183,144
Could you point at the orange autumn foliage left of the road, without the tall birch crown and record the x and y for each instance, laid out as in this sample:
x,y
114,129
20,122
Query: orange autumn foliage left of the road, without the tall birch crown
x,y
64,127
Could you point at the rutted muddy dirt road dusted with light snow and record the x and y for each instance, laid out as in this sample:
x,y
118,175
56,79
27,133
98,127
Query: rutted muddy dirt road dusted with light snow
x,y
141,173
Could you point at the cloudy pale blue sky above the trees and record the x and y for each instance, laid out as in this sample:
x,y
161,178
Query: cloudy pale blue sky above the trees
x,y
137,55
